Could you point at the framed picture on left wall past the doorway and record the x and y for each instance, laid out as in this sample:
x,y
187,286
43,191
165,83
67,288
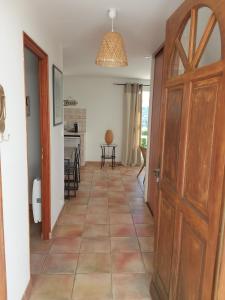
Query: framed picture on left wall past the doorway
x,y
57,96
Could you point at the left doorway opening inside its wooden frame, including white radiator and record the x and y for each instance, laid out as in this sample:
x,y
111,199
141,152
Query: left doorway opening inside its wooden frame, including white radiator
x,y
33,140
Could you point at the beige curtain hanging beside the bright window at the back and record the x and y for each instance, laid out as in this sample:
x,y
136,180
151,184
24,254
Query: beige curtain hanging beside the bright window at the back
x,y
131,155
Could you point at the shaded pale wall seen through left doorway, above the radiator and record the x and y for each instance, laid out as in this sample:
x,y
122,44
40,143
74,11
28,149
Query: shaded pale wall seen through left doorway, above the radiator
x,y
33,120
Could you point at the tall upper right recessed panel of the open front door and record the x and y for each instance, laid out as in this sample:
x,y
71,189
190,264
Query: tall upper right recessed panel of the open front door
x,y
198,170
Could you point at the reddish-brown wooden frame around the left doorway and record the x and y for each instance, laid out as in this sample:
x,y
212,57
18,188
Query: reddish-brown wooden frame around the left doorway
x,y
44,132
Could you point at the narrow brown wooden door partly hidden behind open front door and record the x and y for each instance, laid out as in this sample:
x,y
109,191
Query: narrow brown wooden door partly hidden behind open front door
x,y
154,159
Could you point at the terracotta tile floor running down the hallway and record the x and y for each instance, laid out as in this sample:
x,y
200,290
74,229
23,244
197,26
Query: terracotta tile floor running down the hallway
x,y
102,243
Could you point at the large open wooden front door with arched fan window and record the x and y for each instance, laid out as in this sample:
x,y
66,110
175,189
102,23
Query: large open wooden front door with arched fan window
x,y
193,148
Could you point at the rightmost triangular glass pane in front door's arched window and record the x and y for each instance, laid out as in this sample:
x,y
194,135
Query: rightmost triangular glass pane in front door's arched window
x,y
212,52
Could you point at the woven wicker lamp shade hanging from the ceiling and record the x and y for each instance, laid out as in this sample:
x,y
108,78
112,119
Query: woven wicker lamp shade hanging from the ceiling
x,y
112,52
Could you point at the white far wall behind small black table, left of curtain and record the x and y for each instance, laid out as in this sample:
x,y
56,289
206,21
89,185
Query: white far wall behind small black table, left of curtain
x,y
104,103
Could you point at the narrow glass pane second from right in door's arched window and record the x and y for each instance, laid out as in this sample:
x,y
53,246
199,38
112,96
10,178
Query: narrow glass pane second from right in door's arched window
x,y
204,14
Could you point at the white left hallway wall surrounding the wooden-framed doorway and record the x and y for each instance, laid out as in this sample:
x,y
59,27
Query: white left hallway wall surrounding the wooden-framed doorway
x,y
17,16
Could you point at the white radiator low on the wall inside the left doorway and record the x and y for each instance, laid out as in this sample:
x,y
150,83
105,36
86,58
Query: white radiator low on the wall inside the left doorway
x,y
36,200
